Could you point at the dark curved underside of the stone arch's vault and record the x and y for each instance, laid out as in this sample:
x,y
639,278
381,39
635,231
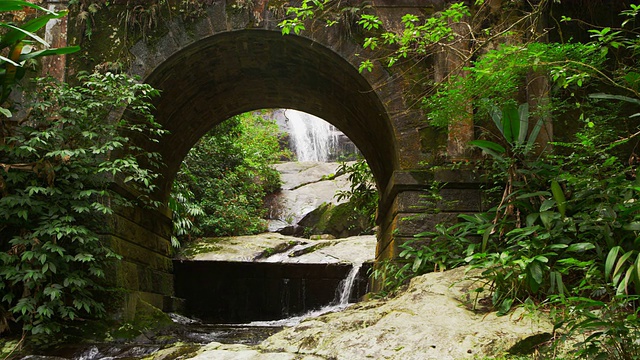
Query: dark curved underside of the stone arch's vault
x,y
233,72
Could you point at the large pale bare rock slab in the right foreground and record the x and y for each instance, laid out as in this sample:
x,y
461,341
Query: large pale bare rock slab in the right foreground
x,y
424,322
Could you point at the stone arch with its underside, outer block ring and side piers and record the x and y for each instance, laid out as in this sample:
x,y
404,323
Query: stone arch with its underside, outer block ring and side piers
x,y
229,63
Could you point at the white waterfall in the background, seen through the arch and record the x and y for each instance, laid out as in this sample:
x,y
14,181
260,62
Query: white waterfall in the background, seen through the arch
x,y
312,138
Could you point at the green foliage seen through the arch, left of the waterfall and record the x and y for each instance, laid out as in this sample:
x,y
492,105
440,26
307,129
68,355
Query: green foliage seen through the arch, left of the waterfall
x,y
229,175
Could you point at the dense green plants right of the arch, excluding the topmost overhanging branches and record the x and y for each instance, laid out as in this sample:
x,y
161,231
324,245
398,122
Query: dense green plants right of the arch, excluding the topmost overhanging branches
x,y
563,225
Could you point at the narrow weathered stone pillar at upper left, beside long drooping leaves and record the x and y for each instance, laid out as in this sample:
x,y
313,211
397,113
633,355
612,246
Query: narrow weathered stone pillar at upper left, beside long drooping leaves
x,y
56,36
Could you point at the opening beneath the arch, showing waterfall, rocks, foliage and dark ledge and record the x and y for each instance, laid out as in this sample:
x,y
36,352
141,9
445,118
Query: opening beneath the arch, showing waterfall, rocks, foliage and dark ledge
x,y
268,277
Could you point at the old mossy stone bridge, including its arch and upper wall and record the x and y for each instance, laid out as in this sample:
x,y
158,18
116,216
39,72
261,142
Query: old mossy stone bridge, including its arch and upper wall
x,y
232,58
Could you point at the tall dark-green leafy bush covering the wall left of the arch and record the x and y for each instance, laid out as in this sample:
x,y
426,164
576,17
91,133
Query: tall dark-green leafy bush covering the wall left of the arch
x,y
55,181
